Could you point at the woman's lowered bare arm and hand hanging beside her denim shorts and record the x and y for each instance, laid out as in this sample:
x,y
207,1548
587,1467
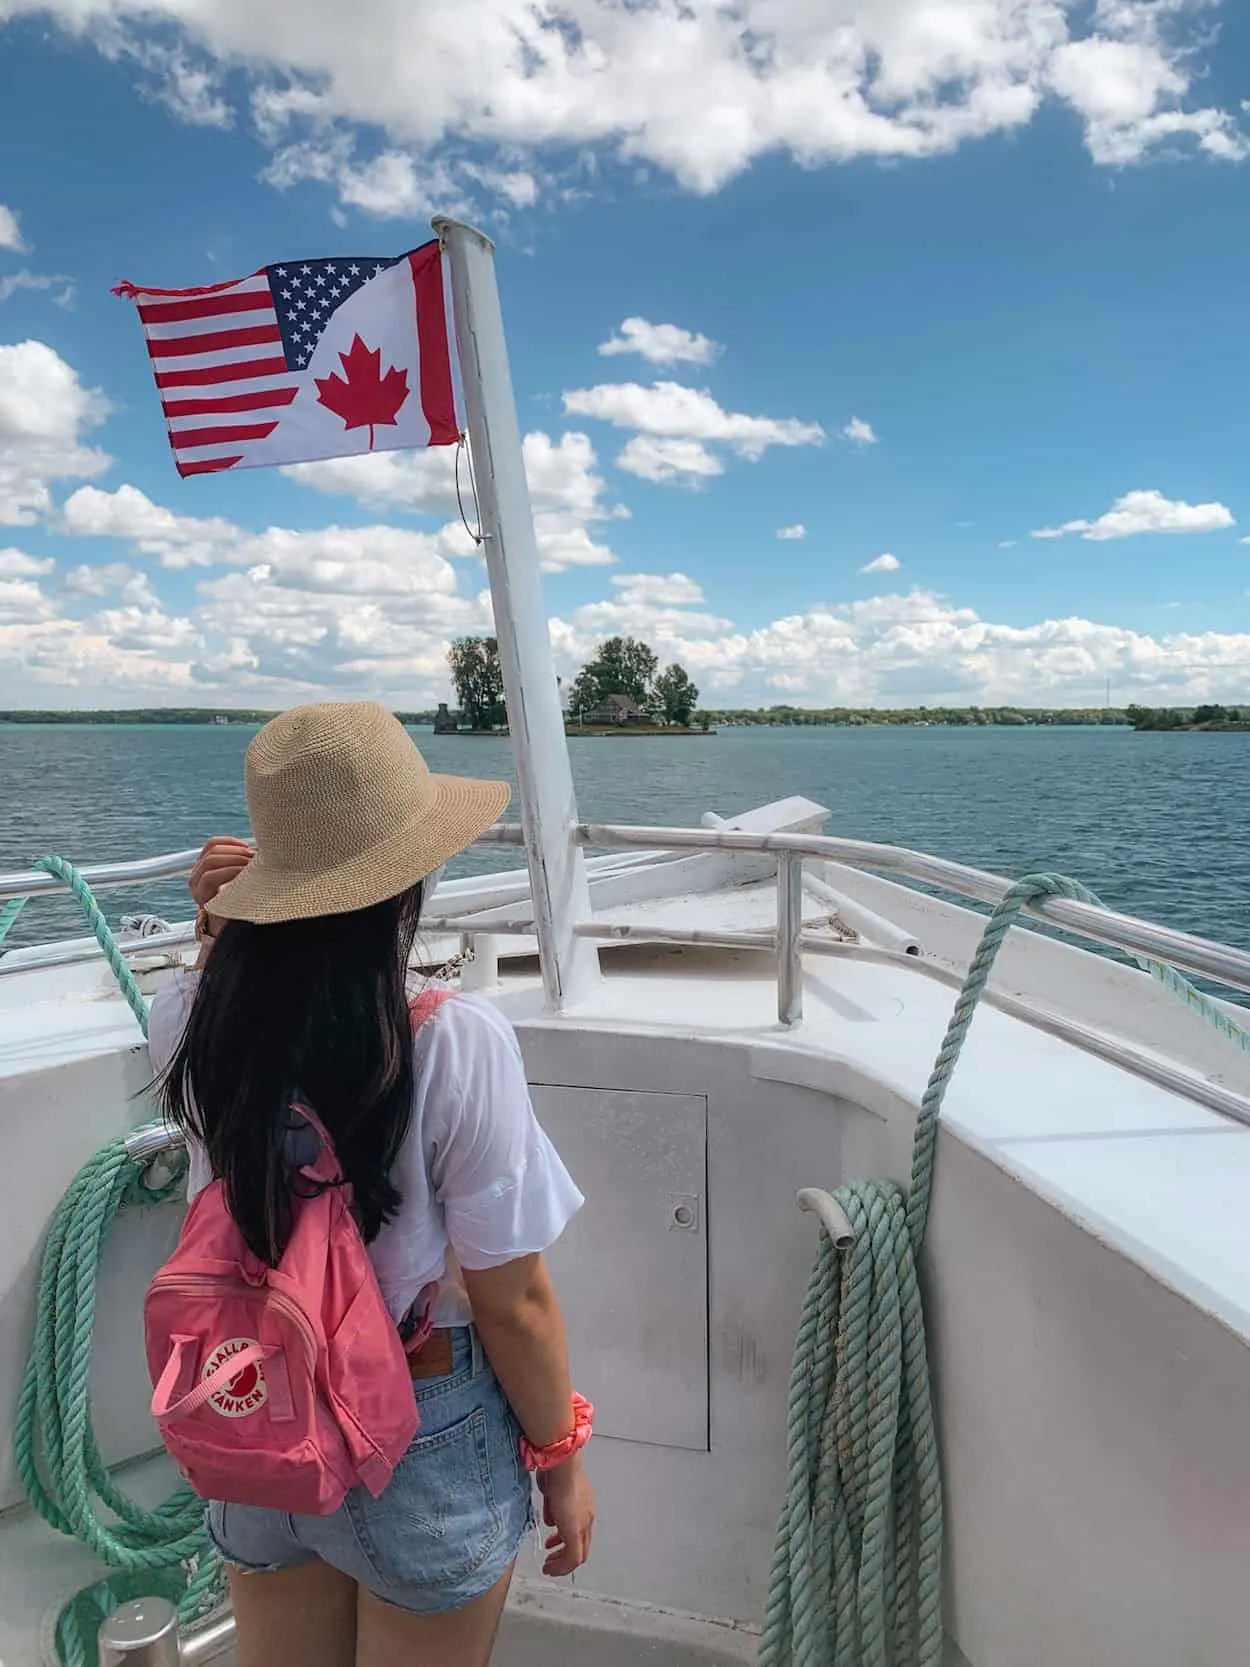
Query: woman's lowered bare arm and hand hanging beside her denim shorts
x,y
519,1318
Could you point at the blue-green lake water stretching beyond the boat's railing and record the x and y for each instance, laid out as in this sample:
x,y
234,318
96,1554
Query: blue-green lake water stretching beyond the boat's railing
x,y
1152,823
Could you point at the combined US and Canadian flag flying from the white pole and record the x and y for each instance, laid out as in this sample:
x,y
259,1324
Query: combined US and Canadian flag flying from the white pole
x,y
304,361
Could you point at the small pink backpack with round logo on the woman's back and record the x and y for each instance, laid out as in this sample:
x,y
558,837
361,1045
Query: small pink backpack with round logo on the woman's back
x,y
287,1386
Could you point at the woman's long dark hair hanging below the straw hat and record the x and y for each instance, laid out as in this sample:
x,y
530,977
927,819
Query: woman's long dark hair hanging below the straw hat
x,y
309,1011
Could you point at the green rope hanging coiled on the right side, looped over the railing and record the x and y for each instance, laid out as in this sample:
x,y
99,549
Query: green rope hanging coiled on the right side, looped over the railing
x,y
856,1578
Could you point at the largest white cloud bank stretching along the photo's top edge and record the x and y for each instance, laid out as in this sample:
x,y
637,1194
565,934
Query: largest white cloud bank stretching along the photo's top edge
x,y
699,93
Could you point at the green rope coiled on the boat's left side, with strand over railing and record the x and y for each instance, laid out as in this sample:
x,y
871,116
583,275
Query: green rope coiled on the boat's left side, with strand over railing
x,y
152,1553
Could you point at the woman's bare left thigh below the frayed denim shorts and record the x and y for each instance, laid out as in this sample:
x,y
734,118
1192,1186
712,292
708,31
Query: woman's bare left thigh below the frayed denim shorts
x,y
302,1616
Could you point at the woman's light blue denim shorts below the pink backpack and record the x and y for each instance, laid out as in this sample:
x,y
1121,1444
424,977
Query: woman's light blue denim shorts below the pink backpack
x,y
447,1528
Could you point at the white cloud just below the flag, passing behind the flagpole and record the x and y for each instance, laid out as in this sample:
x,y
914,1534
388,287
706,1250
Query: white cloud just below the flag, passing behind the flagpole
x,y
566,493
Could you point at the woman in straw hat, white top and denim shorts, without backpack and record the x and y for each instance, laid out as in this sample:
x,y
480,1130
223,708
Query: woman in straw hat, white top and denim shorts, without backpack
x,y
301,991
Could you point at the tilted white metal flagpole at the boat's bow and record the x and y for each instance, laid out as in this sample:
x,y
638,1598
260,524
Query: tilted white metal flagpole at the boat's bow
x,y
549,811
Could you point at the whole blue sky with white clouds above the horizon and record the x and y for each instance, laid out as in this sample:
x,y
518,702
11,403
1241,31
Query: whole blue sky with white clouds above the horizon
x,y
942,278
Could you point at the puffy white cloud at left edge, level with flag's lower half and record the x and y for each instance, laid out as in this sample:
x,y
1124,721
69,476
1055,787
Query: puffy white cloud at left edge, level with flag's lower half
x,y
44,411
